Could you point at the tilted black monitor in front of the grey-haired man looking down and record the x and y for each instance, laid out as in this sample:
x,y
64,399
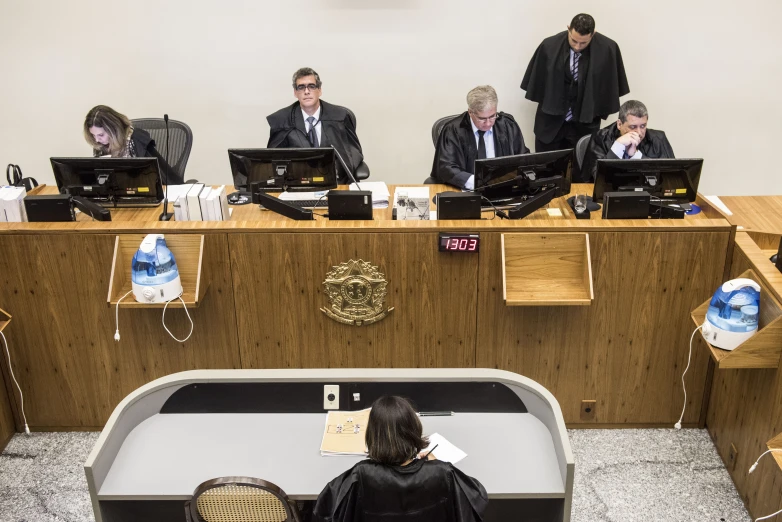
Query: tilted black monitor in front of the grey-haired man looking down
x,y
497,176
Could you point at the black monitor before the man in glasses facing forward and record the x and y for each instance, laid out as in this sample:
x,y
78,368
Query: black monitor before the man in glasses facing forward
x,y
275,170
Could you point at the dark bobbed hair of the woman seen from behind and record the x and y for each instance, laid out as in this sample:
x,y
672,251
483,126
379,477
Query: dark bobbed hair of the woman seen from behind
x,y
394,432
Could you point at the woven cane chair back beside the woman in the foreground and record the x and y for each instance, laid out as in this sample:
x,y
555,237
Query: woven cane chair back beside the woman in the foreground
x,y
240,499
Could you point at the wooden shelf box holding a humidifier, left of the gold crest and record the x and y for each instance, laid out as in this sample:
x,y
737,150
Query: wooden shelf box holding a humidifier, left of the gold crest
x,y
188,250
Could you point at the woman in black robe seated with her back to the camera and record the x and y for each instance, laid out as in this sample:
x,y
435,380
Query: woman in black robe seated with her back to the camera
x,y
395,483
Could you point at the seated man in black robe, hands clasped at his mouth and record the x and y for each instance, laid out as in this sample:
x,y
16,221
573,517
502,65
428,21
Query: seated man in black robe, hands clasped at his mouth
x,y
603,144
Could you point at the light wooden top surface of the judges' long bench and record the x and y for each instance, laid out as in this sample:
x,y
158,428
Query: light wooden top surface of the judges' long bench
x,y
251,217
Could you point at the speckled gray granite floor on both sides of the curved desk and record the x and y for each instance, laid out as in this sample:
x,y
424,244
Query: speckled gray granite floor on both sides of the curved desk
x,y
621,476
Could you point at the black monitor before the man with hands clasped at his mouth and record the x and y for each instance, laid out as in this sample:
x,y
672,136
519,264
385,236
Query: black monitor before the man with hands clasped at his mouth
x,y
667,179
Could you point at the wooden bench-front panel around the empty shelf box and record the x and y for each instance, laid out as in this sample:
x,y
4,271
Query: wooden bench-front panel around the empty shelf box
x,y
628,349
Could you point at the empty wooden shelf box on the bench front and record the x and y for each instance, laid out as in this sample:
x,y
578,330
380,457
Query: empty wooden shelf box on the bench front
x,y
546,269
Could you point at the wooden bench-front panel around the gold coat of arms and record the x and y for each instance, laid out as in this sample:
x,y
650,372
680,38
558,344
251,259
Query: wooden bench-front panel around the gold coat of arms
x,y
278,283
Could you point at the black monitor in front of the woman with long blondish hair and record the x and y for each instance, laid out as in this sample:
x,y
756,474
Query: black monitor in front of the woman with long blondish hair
x,y
111,182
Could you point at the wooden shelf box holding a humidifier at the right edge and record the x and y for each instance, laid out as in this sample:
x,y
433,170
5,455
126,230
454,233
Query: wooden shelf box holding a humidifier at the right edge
x,y
763,349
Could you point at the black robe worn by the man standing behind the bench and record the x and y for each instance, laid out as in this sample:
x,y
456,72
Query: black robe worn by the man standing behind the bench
x,y
600,87
